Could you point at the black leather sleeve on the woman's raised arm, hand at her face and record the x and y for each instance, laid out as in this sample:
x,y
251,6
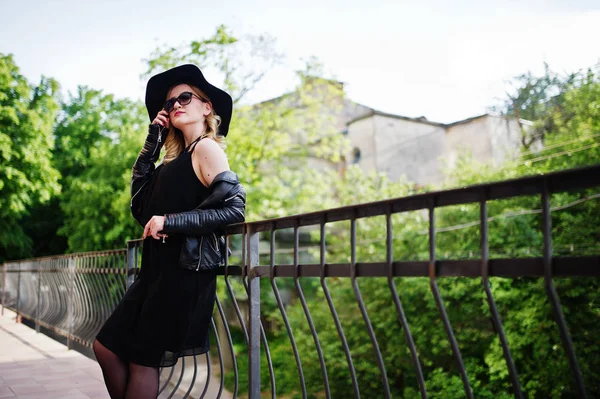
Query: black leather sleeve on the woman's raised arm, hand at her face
x,y
142,171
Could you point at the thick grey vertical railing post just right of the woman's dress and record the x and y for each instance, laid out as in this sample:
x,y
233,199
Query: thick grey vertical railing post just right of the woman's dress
x,y
254,322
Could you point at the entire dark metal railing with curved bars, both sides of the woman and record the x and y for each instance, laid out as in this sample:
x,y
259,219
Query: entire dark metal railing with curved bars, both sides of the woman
x,y
73,294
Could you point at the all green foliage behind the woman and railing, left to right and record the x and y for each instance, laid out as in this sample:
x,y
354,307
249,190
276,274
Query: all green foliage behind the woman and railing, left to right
x,y
86,144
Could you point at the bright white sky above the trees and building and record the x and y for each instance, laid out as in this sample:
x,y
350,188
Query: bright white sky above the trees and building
x,y
445,60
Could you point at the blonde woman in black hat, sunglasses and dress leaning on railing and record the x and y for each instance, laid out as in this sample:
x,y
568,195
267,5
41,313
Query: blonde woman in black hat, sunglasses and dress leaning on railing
x,y
166,312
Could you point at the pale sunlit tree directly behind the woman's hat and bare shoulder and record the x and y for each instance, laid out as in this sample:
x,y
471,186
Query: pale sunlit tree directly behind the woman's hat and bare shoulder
x,y
272,143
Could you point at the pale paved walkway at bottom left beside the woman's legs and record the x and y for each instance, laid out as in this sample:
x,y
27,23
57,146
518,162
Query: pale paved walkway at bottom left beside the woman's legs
x,y
35,366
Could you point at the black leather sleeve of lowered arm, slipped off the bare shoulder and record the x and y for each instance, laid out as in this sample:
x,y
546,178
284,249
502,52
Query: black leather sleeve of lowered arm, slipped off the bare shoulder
x,y
227,203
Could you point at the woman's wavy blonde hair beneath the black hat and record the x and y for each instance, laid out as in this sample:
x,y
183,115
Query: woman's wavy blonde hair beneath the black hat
x,y
175,143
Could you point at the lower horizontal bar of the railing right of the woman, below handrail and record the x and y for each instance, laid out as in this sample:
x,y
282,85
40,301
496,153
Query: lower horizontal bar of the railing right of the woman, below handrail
x,y
576,266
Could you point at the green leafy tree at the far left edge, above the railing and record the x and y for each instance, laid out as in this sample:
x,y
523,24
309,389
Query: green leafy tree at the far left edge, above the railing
x,y
27,176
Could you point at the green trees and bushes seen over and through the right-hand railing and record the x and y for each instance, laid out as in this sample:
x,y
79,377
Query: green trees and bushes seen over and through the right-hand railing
x,y
515,231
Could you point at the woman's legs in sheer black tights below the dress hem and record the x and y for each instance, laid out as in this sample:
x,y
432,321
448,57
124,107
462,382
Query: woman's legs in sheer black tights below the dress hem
x,y
124,381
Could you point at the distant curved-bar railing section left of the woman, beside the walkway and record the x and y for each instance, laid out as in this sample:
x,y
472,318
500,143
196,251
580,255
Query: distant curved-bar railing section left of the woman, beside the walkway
x,y
68,295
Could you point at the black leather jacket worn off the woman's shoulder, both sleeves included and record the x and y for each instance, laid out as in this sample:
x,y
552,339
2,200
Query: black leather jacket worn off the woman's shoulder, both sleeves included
x,y
204,246
